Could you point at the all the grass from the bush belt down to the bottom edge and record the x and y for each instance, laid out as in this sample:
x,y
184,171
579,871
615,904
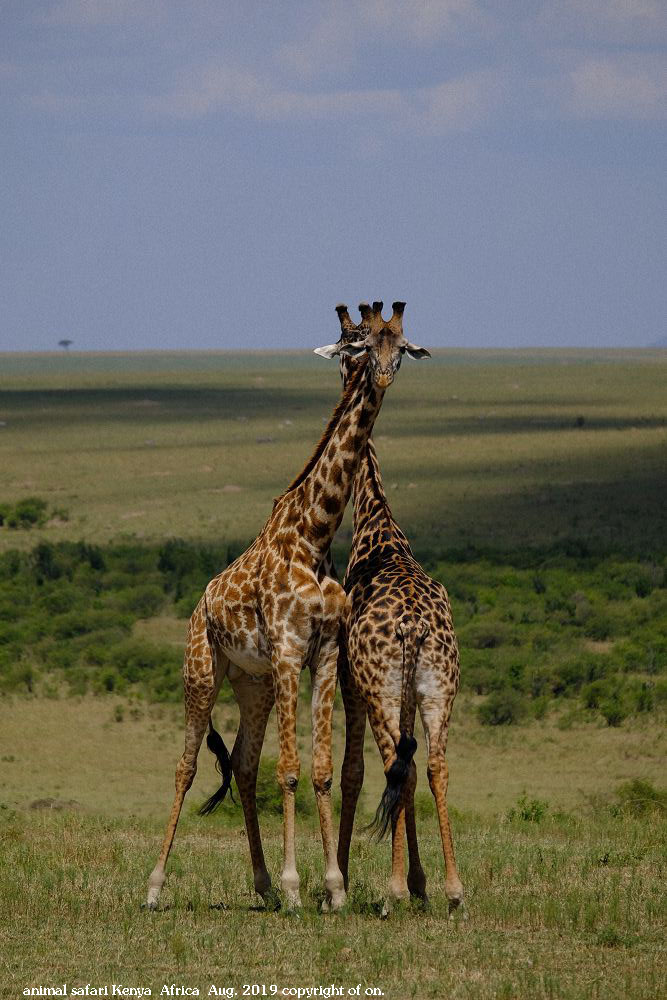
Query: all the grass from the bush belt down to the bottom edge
x,y
561,852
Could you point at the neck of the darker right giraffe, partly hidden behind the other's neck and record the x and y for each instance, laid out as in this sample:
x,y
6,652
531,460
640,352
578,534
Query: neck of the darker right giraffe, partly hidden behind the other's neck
x,y
374,524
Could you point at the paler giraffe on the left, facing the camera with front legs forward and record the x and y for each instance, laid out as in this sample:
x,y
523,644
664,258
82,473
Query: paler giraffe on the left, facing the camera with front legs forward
x,y
273,611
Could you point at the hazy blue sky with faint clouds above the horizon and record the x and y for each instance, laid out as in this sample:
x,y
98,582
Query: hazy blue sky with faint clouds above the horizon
x,y
208,174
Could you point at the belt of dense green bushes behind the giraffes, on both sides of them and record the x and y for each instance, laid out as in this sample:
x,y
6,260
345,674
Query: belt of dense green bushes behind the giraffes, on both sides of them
x,y
523,627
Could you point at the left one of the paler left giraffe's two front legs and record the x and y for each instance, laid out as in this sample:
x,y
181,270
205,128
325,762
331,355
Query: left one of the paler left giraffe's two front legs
x,y
286,688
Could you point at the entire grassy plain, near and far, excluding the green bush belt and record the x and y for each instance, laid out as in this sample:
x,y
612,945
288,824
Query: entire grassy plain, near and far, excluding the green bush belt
x,y
501,451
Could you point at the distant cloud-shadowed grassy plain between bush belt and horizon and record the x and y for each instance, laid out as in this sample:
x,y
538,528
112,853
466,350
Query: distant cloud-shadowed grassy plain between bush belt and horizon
x,y
477,448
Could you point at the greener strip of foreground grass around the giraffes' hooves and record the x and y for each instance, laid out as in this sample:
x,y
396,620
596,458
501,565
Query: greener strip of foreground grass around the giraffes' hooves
x,y
569,907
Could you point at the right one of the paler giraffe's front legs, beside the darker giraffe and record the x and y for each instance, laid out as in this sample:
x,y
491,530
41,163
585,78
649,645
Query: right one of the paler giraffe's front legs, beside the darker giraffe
x,y
324,690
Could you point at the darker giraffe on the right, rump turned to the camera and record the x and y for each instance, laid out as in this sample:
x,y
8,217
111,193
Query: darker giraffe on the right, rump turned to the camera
x,y
398,652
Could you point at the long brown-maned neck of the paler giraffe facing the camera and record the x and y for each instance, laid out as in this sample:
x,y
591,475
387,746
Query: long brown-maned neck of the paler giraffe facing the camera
x,y
324,487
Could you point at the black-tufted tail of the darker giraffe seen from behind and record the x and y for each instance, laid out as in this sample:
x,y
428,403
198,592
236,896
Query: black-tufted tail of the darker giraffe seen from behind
x,y
412,633
